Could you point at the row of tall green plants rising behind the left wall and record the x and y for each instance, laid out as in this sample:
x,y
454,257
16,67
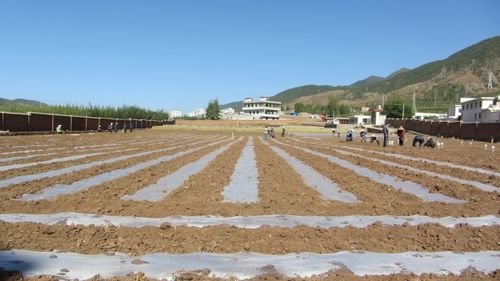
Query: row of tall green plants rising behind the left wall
x,y
121,112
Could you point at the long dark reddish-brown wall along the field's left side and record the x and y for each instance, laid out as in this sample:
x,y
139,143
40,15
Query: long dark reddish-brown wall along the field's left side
x,y
44,122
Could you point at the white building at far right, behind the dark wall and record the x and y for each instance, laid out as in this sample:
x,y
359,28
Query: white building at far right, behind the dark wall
x,y
482,110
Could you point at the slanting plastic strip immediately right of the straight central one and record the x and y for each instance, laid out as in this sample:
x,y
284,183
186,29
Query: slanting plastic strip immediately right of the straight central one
x,y
328,189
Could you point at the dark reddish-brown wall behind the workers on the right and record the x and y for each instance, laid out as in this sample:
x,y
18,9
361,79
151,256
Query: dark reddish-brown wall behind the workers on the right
x,y
475,131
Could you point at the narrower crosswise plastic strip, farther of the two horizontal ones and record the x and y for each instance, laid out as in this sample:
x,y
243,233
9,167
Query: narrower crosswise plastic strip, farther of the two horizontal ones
x,y
248,222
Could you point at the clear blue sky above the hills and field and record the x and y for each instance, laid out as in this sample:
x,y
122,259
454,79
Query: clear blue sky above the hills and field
x,y
181,54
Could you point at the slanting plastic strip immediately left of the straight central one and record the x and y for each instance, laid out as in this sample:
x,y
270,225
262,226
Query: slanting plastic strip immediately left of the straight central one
x,y
164,186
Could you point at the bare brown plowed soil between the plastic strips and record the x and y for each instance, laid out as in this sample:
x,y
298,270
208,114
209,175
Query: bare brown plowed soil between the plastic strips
x,y
281,191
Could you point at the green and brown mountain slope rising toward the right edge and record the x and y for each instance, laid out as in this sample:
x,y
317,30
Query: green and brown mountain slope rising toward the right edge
x,y
436,84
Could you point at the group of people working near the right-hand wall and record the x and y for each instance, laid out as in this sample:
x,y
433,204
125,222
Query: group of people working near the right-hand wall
x,y
400,132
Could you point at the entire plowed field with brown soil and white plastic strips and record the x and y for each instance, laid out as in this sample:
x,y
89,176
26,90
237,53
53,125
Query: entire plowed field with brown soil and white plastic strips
x,y
201,205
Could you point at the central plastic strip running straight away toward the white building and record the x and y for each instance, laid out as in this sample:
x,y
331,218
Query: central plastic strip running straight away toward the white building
x,y
243,187
